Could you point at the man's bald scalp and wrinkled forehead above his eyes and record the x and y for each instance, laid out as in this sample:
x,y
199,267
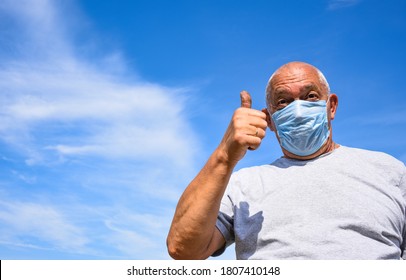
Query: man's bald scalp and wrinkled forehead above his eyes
x,y
289,76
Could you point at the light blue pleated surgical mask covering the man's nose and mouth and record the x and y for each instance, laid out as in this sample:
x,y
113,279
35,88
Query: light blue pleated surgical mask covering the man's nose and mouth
x,y
302,126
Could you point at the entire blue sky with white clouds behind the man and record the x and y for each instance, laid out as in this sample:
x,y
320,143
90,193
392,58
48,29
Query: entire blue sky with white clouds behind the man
x,y
109,108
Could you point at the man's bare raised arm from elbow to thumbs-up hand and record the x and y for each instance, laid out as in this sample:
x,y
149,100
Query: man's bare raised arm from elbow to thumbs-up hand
x,y
193,233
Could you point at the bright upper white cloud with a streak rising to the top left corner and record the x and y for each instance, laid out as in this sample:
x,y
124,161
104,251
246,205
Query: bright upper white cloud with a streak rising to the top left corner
x,y
104,115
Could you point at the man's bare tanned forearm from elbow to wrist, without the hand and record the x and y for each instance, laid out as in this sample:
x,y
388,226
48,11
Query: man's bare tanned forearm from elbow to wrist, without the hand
x,y
194,221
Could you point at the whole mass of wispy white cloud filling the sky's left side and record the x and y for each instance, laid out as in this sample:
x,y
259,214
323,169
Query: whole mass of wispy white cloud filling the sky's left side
x,y
110,137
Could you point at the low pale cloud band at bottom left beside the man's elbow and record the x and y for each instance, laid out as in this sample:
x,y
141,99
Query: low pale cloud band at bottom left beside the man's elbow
x,y
111,232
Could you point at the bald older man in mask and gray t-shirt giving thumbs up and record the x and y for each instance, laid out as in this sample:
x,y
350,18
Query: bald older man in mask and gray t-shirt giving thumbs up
x,y
321,200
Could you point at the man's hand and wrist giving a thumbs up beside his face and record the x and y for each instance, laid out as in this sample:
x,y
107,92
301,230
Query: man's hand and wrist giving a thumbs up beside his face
x,y
245,131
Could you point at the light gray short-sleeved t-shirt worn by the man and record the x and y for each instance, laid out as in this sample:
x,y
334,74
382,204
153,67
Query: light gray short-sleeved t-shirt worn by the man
x,y
348,204
